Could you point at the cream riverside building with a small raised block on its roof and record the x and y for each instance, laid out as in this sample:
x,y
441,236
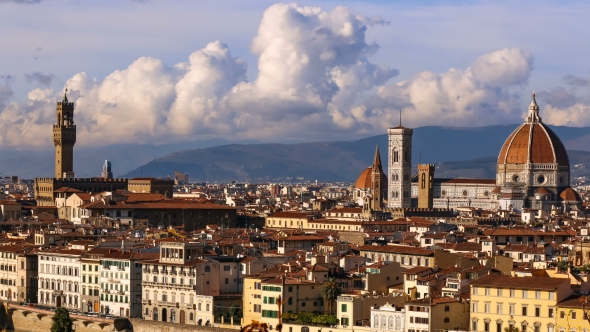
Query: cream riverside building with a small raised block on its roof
x,y
172,282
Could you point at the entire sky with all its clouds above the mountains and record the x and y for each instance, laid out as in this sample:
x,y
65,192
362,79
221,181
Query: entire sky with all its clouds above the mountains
x,y
172,71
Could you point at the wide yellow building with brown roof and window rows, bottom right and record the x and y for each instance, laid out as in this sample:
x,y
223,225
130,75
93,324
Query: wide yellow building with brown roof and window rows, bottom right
x,y
527,303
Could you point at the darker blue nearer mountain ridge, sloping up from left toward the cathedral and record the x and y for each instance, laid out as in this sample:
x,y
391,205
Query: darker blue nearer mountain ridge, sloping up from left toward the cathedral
x,y
459,152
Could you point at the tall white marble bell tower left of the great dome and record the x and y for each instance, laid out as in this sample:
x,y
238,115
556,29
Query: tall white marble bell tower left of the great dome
x,y
400,167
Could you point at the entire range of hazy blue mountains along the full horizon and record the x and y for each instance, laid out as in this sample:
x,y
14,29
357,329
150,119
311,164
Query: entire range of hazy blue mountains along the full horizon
x,y
458,152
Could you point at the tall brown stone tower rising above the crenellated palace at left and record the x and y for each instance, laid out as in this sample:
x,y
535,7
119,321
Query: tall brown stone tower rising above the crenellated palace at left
x,y
64,138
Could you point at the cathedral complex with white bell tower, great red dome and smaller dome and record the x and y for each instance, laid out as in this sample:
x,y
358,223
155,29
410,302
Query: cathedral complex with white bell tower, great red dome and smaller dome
x,y
533,172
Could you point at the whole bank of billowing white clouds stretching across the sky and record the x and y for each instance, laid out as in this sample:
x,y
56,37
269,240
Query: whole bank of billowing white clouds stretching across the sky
x,y
315,81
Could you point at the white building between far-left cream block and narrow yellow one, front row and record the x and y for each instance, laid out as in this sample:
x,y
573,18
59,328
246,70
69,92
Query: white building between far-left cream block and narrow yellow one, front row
x,y
59,278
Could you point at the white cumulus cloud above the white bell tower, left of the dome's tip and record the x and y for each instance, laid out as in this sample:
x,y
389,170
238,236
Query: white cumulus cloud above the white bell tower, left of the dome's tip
x,y
485,93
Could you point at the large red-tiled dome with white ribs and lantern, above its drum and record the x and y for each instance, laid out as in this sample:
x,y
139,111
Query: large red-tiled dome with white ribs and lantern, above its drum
x,y
533,142
